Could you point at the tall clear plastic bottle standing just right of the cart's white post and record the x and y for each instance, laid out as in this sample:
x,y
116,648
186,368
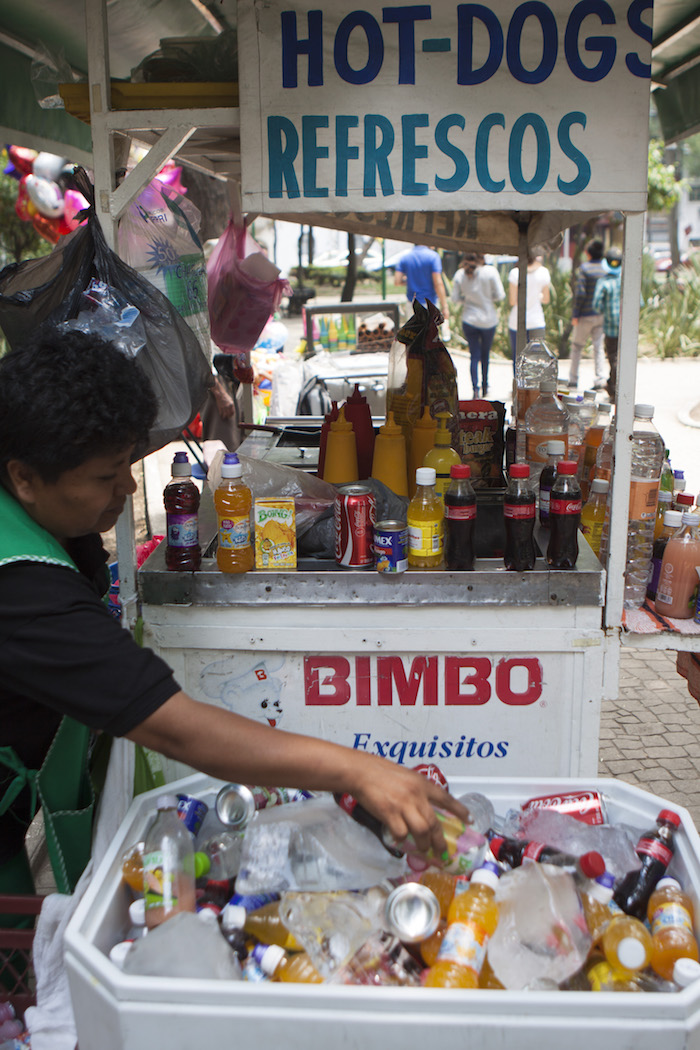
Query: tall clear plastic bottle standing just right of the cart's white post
x,y
648,451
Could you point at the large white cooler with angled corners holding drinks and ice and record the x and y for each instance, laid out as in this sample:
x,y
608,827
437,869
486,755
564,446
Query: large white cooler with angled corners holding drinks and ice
x,y
119,1013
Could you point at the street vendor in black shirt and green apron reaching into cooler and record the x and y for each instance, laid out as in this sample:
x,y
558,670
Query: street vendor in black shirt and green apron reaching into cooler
x,y
74,413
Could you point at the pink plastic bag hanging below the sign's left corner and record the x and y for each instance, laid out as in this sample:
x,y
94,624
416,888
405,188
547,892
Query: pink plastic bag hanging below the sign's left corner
x,y
244,290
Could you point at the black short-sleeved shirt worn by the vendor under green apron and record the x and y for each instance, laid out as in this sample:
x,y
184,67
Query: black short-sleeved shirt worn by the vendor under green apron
x,y
62,653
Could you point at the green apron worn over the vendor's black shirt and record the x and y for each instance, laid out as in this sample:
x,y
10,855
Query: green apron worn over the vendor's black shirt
x,y
62,787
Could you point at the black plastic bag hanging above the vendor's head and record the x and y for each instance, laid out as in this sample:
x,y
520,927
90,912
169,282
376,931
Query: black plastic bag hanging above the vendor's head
x,y
49,291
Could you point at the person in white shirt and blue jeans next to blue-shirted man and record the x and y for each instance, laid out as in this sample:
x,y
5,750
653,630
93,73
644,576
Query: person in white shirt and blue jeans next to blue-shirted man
x,y
478,287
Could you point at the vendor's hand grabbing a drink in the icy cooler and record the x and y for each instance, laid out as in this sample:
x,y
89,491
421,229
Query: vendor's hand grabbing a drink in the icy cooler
x,y
406,802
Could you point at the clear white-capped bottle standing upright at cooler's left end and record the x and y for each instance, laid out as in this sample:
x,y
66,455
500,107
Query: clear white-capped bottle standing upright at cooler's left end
x,y
168,866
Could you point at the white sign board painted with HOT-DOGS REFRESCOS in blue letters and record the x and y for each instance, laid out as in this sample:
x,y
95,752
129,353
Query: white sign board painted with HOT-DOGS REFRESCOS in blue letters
x,y
444,107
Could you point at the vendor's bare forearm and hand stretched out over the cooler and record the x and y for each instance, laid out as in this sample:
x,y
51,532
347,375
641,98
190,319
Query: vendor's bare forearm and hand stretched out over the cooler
x,y
229,747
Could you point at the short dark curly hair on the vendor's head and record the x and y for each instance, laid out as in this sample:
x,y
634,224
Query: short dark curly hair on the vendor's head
x,y
68,396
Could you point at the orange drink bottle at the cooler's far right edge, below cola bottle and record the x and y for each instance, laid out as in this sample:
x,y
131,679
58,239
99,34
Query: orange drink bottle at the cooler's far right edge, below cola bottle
x,y
672,917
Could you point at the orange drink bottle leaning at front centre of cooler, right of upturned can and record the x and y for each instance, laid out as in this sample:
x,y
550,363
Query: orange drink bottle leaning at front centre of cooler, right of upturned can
x,y
472,919
